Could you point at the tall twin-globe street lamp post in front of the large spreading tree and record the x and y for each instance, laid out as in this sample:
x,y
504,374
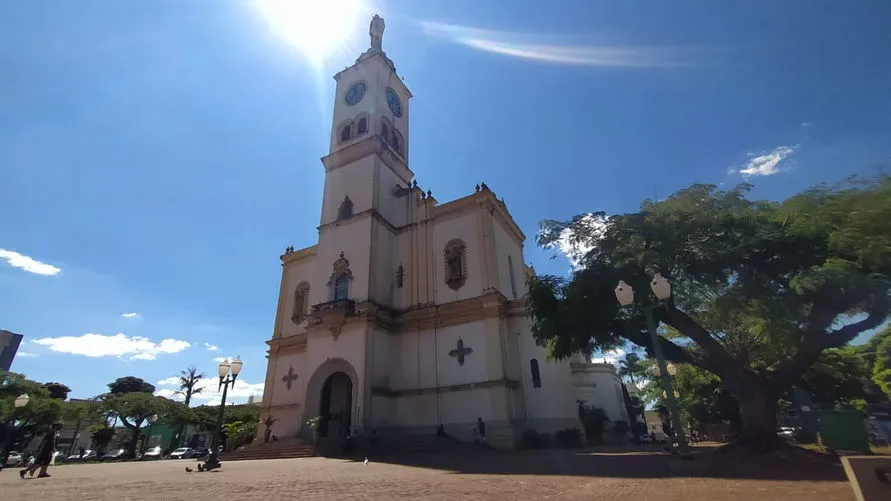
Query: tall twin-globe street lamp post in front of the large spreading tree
x,y
662,290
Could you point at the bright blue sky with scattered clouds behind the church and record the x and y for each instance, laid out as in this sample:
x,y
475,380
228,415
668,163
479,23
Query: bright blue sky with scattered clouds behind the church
x,y
160,155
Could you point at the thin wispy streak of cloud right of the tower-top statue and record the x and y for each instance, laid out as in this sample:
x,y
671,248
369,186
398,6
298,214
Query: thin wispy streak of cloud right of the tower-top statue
x,y
523,46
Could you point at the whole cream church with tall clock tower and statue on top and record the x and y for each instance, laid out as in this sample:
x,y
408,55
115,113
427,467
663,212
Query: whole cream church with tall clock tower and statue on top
x,y
408,314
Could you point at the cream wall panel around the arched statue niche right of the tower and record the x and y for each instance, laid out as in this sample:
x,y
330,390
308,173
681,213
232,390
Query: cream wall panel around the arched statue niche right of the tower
x,y
464,227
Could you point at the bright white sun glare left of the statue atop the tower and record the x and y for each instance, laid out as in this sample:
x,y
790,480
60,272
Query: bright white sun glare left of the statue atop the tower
x,y
317,28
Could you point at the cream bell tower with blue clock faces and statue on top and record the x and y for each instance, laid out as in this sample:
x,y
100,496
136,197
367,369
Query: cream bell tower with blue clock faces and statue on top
x,y
366,170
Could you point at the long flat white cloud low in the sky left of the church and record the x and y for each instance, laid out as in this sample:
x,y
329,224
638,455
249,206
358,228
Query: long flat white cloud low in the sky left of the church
x,y
118,345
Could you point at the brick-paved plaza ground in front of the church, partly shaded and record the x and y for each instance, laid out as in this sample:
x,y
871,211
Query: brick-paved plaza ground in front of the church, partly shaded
x,y
518,476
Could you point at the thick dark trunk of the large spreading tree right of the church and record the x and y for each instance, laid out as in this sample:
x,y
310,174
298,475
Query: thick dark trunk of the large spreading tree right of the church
x,y
758,416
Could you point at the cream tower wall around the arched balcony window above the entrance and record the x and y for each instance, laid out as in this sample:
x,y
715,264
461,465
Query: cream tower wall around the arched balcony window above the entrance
x,y
350,237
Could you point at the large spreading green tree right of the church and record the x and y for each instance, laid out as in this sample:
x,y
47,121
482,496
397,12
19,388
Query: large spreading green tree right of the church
x,y
759,288
